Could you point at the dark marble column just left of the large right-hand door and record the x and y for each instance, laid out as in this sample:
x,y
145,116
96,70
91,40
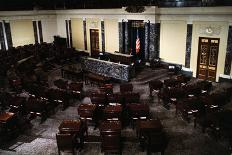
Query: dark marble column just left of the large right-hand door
x,y
188,45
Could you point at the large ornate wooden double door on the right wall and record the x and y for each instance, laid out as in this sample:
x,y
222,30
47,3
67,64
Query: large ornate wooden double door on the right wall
x,y
207,58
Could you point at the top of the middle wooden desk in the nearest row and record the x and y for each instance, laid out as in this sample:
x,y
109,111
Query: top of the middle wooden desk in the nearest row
x,y
110,126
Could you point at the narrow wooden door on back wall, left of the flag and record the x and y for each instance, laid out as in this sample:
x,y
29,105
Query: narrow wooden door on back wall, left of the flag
x,y
94,42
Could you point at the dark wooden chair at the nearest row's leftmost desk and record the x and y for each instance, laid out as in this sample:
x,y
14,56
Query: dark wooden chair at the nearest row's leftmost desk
x,y
65,142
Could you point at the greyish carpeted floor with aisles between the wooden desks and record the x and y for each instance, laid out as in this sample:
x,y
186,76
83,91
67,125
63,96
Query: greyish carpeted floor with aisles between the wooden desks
x,y
184,139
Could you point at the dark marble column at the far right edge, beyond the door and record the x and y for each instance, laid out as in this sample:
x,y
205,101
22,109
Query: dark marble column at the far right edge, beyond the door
x,y
227,68
